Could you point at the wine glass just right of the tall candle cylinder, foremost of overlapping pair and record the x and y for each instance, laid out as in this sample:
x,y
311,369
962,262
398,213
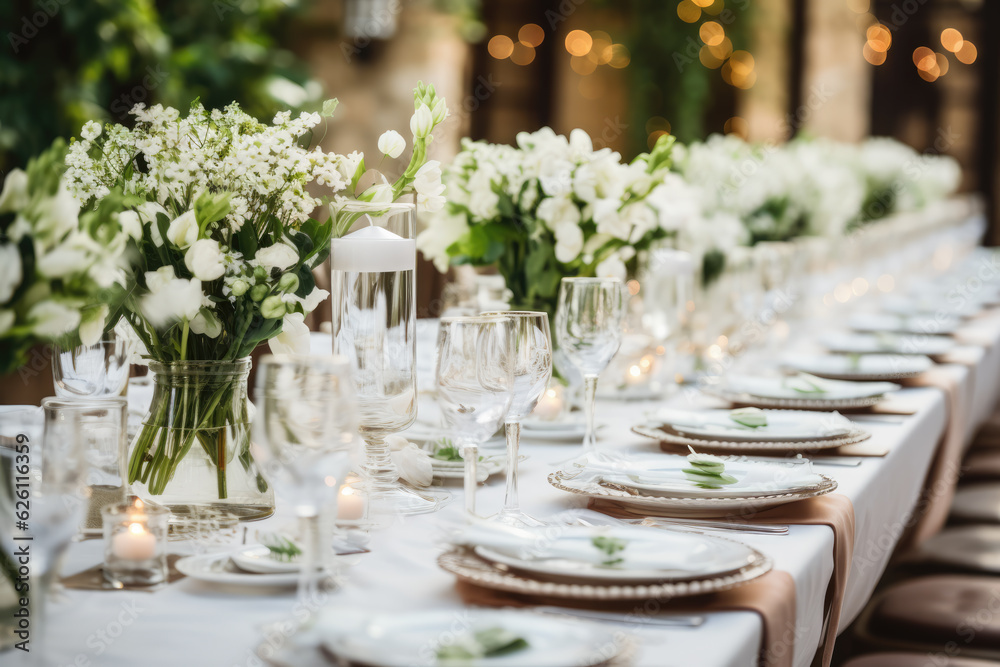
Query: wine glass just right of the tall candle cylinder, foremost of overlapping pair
x,y
475,383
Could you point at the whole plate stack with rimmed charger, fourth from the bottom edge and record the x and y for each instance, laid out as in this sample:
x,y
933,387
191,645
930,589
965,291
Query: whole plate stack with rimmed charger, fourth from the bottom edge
x,y
789,431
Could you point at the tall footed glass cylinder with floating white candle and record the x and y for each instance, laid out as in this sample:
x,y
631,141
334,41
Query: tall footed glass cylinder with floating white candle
x,y
374,326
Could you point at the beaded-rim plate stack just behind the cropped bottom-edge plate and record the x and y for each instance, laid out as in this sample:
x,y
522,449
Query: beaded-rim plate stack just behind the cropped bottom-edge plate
x,y
600,562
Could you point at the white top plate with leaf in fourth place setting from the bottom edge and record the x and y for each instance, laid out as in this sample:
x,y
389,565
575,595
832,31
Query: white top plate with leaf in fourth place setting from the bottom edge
x,y
809,425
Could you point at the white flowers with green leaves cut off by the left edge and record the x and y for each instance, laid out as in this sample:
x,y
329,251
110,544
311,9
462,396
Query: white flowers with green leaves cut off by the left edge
x,y
56,264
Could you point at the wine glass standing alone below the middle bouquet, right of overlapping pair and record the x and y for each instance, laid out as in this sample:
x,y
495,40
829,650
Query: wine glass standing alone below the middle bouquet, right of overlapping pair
x,y
589,324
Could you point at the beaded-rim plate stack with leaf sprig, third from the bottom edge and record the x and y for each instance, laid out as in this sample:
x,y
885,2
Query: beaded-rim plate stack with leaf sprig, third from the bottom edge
x,y
658,486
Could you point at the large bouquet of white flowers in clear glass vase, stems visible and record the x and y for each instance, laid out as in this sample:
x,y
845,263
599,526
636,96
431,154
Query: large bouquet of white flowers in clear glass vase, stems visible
x,y
225,248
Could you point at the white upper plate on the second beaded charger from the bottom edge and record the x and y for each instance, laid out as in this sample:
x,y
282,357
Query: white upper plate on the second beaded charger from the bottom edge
x,y
706,555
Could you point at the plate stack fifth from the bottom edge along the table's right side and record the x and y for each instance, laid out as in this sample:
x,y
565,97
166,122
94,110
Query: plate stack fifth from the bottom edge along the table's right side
x,y
801,392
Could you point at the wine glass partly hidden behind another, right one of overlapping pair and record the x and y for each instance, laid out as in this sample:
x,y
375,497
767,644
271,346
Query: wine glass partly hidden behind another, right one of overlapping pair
x,y
532,364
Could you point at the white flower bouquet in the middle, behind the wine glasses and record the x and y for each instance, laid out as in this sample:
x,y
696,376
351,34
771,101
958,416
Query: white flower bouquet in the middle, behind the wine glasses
x,y
553,207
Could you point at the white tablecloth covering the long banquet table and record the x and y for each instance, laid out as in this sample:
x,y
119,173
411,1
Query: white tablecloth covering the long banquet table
x,y
196,624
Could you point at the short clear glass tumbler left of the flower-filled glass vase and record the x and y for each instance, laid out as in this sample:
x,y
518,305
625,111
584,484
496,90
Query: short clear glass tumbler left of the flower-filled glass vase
x,y
91,371
